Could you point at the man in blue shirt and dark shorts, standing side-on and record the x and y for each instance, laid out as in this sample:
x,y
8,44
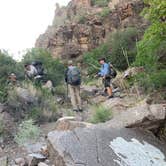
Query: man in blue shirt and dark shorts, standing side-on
x,y
105,74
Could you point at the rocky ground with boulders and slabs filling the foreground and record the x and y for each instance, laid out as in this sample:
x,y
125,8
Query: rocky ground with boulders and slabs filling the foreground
x,y
73,141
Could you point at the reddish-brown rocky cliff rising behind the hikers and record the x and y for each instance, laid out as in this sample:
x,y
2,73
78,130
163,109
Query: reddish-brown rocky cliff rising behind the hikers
x,y
81,26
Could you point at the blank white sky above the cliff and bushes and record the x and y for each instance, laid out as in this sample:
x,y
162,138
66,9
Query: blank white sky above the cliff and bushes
x,y
22,21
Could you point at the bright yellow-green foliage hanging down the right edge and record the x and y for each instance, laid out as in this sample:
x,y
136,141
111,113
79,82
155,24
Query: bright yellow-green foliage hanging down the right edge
x,y
151,48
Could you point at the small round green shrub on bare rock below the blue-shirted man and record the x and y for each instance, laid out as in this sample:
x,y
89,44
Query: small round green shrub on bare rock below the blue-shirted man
x,y
101,114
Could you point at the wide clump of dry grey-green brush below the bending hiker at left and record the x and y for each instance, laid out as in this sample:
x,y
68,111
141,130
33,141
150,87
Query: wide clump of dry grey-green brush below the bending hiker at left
x,y
42,106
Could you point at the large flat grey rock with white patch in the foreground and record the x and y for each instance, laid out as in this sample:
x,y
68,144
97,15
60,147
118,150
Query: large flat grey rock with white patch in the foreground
x,y
104,146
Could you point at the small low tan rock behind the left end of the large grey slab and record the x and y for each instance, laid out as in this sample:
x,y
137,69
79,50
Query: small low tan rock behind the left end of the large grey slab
x,y
69,123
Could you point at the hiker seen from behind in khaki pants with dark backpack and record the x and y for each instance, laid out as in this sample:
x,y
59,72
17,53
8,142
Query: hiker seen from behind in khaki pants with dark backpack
x,y
73,80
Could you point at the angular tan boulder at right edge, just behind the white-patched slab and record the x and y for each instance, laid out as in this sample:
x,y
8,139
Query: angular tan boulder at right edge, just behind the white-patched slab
x,y
141,115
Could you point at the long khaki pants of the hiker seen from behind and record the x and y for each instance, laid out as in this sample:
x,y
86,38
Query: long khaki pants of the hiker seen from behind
x,y
75,97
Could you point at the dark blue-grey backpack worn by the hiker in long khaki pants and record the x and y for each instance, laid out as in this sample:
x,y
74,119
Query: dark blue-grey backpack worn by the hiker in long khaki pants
x,y
74,76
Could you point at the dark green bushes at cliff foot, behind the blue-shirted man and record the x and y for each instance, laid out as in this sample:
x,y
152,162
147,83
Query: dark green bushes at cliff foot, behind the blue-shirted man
x,y
120,50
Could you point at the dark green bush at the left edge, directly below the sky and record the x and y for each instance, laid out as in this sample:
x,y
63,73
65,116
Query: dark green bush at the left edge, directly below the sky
x,y
8,66
